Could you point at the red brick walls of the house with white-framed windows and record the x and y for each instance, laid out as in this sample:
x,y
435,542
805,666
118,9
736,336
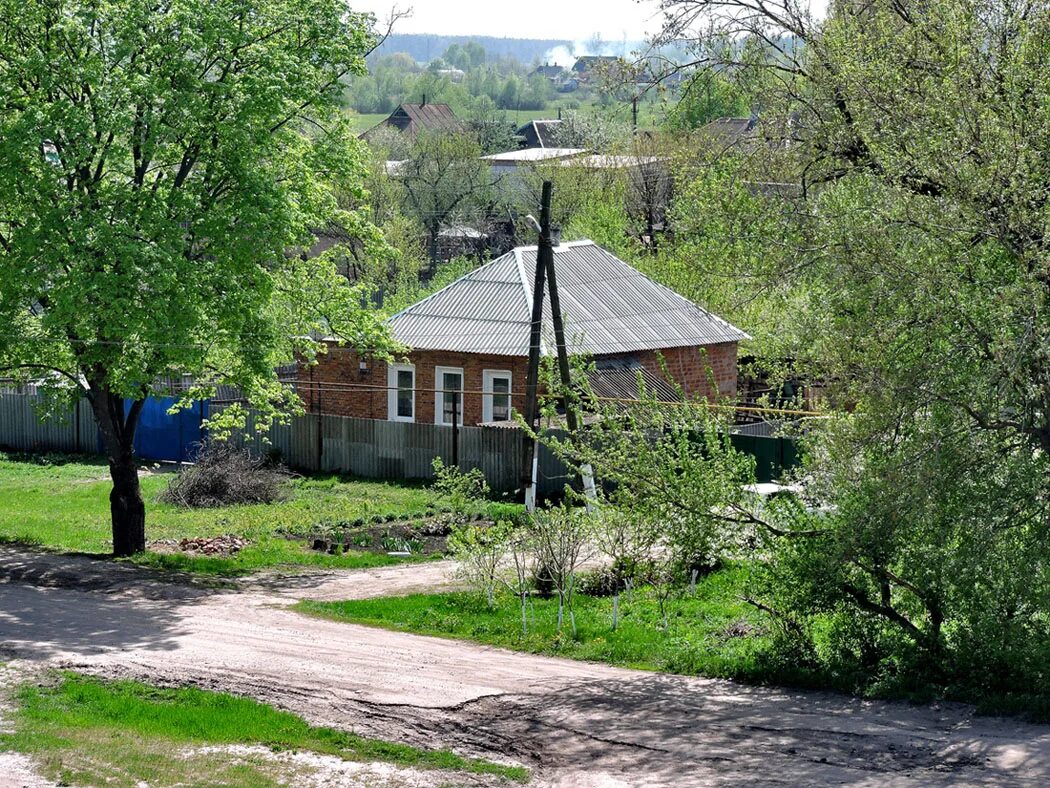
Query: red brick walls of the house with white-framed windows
x,y
337,386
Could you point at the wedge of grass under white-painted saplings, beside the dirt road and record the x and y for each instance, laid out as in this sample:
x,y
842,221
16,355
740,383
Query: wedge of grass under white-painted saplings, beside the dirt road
x,y
710,631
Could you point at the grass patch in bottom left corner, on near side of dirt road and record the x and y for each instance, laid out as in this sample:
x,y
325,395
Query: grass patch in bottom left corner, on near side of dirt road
x,y
88,732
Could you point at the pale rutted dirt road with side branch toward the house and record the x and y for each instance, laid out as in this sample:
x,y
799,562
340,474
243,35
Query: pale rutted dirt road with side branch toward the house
x,y
577,724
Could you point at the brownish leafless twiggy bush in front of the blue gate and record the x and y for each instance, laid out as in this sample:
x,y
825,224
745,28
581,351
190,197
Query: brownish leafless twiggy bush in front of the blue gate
x,y
225,475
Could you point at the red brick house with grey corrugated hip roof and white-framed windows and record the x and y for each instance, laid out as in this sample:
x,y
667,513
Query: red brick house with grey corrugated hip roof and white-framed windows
x,y
470,344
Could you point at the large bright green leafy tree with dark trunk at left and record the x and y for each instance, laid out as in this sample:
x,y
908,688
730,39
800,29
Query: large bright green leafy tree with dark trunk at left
x,y
158,163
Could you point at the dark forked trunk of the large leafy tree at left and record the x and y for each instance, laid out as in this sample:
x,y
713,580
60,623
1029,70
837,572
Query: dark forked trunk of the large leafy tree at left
x,y
128,510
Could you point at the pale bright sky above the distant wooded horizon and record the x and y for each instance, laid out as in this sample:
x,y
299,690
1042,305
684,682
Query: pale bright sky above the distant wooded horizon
x,y
545,19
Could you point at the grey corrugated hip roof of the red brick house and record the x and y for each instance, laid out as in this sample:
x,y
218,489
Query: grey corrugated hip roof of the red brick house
x,y
608,308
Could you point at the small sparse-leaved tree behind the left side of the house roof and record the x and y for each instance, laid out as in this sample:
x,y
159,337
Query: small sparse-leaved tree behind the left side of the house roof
x,y
444,178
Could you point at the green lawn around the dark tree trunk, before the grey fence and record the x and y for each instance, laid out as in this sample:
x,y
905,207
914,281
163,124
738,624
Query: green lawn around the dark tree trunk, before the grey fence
x,y
62,504
